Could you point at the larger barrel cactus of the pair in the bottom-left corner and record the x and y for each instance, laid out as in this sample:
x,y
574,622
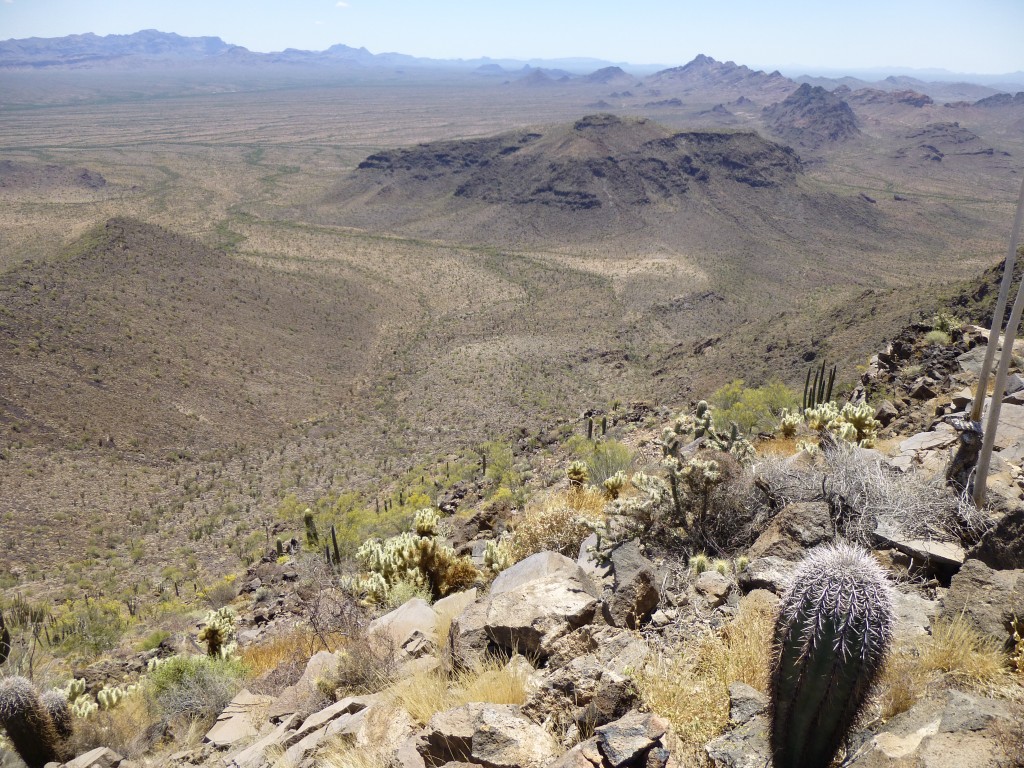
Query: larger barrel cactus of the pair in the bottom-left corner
x,y
29,724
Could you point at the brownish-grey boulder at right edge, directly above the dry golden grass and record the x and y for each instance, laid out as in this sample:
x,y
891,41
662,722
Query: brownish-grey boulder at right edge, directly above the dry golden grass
x,y
988,600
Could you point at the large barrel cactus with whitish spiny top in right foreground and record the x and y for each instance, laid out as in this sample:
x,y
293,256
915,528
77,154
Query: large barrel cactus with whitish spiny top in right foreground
x,y
834,628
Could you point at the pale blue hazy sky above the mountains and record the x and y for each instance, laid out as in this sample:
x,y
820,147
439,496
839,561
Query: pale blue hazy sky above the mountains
x,y
982,36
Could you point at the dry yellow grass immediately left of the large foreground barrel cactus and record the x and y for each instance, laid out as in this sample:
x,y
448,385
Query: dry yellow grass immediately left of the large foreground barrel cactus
x,y
692,691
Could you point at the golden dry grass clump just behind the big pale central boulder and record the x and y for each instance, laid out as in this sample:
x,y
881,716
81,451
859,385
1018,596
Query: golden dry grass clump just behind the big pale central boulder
x,y
559,524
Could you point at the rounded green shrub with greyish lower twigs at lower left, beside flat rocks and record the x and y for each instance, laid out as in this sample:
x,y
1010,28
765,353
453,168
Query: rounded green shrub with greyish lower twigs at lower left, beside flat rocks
x,y
195,688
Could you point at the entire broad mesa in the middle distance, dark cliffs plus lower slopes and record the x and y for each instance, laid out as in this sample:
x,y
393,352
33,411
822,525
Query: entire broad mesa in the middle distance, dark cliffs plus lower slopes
x,y
602,180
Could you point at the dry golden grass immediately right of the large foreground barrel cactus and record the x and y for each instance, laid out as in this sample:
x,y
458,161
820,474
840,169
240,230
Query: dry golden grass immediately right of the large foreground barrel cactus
x,y
954,656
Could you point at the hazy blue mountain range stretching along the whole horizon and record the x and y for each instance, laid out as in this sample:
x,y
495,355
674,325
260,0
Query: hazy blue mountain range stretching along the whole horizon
x,y
154,50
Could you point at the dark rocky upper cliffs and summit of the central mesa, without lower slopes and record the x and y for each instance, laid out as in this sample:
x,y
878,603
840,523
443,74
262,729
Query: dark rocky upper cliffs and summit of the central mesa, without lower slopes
x,y
604,161
